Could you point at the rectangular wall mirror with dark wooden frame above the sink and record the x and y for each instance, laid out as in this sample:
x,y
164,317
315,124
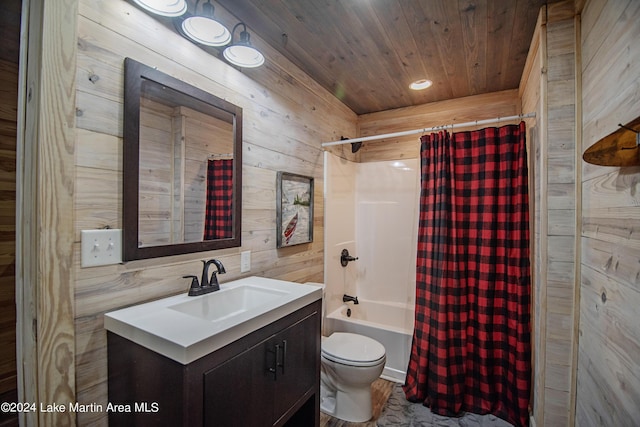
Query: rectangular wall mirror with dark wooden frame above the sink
x,y
182,167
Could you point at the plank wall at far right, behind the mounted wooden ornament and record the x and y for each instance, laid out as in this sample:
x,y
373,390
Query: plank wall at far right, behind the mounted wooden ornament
x,y
608,377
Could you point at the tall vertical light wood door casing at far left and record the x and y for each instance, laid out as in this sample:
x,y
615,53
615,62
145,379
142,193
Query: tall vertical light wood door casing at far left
x,y
44,216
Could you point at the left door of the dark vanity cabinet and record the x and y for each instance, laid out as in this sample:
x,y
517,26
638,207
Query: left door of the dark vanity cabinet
x,y
239,392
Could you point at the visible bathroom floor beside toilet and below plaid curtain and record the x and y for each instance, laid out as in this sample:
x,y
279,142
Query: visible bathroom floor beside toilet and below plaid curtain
x,y
391,409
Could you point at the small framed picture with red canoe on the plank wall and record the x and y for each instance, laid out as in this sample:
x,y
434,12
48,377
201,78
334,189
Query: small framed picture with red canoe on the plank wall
x,y
294,209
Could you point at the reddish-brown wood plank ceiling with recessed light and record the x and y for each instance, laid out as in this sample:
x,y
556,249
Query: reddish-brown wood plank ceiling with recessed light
x,y
367,52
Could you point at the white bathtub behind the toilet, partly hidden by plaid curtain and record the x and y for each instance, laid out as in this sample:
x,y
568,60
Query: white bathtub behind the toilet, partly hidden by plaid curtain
x,y
391,324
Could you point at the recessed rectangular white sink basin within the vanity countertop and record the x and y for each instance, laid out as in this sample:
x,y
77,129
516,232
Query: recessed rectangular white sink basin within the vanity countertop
x,y
228,302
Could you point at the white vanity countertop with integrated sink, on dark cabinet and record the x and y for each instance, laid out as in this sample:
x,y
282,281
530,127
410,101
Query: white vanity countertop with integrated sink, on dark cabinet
x,y
185,328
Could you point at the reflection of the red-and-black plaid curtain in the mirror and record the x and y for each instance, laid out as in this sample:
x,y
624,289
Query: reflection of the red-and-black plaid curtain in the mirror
x,y
218,220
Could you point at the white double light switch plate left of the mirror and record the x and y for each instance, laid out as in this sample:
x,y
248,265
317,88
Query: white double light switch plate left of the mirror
x,y
101,247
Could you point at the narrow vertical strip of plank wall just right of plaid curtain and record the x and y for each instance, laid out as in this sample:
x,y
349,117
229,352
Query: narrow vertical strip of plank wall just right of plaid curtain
x,y
560,194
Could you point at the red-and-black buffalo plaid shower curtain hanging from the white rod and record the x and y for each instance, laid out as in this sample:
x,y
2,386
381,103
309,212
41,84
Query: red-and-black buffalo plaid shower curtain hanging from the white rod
x,y
471,348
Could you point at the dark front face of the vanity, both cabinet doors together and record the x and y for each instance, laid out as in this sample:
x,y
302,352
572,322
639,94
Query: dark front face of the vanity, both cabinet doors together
x,y
261,385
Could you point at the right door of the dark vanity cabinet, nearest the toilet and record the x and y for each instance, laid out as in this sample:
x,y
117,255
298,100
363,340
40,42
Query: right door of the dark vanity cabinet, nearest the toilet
x,y
298,362
